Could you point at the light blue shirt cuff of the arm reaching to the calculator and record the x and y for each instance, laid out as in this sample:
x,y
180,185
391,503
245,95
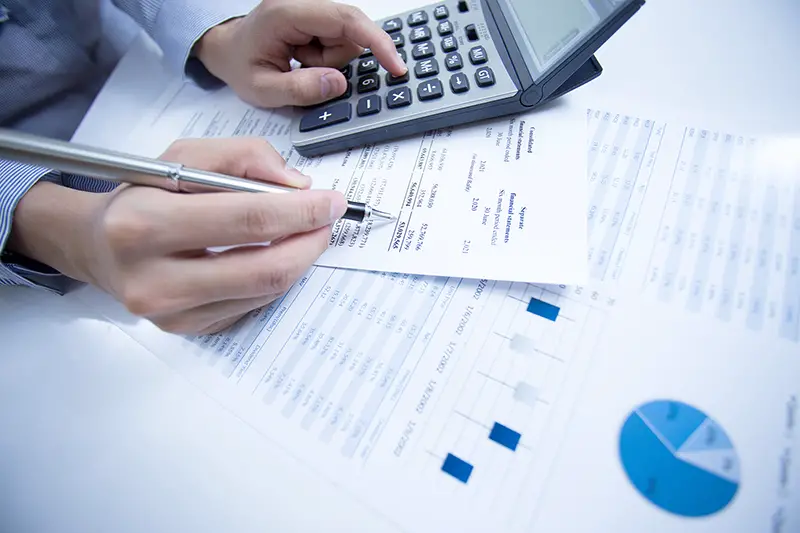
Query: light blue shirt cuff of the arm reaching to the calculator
x,y
181,23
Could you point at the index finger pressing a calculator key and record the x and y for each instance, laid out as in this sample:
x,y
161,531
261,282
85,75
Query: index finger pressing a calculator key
x,y
333,20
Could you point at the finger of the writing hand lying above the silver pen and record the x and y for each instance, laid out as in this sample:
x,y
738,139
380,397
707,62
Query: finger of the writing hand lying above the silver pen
x,y
246,157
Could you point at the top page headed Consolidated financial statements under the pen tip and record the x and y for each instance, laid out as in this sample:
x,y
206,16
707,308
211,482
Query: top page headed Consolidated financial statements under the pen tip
x,y
504,199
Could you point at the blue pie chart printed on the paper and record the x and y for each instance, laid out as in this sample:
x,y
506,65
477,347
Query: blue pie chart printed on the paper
x,y
679,459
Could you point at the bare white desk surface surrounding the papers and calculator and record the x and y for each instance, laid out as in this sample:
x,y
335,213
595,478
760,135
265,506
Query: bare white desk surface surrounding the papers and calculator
x,y
99,435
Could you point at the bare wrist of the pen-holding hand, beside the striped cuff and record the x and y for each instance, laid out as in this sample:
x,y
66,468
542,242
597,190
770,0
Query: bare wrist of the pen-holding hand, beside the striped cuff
x,y
52,225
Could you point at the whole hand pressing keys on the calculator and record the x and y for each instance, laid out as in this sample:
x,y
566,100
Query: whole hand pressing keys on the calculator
x,y
252,54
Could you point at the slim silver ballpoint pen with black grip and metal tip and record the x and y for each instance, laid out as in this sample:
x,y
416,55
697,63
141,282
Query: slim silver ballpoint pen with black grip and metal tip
x,y
125,168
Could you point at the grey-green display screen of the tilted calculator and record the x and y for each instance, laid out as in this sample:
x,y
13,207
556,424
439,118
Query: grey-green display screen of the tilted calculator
x,y
554,28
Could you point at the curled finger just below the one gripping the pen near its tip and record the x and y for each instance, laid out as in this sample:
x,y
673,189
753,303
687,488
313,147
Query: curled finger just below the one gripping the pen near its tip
x,y
242,273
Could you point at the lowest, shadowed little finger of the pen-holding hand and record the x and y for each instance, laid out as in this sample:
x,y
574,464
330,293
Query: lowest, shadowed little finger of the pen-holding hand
x,y
215,316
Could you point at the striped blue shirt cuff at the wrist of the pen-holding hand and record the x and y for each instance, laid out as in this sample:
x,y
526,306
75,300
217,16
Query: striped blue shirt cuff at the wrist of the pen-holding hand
x,y
16,180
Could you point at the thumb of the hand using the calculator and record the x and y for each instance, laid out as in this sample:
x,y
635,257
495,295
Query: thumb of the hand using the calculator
x,y
299,87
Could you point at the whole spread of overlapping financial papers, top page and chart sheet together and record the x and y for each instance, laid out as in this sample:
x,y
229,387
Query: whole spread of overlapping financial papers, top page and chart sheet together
x,y
442,388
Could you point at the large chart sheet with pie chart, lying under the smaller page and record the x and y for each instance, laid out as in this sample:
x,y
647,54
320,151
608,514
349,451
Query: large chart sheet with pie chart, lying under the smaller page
x,y
666,386
